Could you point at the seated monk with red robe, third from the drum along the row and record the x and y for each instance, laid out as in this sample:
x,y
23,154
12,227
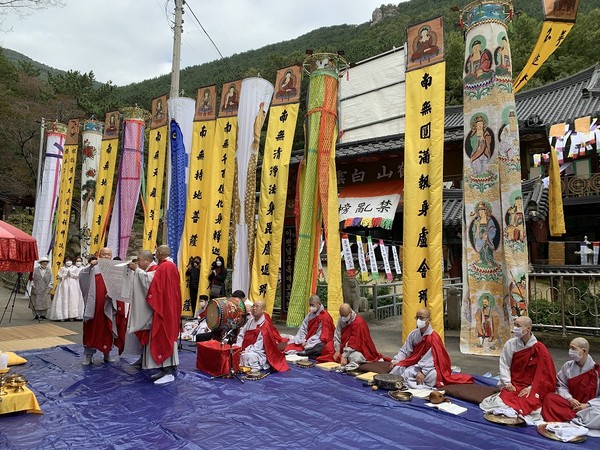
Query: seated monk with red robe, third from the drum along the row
x,y
351,340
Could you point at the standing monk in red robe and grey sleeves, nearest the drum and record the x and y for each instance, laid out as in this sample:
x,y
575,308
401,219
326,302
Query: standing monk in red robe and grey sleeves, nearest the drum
x,y
159,329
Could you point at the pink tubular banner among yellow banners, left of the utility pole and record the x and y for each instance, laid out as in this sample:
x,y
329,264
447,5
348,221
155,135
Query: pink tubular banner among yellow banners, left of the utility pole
x,y
129,181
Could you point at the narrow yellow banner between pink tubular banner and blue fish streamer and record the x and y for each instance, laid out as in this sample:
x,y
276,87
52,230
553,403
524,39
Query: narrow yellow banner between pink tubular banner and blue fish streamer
x,y
157,151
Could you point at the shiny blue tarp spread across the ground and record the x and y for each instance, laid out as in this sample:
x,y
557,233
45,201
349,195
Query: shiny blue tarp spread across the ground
x,y
115,406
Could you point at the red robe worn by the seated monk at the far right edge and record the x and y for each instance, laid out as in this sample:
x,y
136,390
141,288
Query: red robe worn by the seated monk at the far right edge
x,y
583,388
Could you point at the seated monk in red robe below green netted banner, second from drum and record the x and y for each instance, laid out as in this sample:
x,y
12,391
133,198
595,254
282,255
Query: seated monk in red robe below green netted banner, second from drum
x,y
315,335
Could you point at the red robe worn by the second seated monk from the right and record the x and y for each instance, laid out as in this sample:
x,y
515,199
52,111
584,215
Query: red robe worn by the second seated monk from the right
x,y
532,366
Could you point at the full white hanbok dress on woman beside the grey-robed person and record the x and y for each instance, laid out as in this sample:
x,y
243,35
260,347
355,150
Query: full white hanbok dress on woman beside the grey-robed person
x,y
68,300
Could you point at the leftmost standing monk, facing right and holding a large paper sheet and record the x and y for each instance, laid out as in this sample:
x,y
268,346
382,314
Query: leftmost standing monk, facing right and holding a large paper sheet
x,y
99,316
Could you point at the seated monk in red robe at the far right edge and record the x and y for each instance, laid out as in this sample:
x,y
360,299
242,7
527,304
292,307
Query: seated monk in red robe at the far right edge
x,y
577,397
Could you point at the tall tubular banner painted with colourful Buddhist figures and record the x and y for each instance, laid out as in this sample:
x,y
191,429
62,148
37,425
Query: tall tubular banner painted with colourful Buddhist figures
x,y
495,257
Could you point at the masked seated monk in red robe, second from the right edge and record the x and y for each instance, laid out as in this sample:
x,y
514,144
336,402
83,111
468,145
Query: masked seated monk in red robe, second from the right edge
x,y
526,373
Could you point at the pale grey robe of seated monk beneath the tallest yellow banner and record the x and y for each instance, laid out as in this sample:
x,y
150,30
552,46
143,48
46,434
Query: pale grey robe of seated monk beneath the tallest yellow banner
x,y
425,364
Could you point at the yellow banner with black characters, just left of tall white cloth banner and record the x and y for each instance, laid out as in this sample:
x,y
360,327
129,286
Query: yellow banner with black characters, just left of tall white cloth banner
x,y
221,162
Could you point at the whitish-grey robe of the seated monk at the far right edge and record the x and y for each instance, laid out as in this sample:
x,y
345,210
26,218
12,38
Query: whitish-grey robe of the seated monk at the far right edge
x,y
588,417
